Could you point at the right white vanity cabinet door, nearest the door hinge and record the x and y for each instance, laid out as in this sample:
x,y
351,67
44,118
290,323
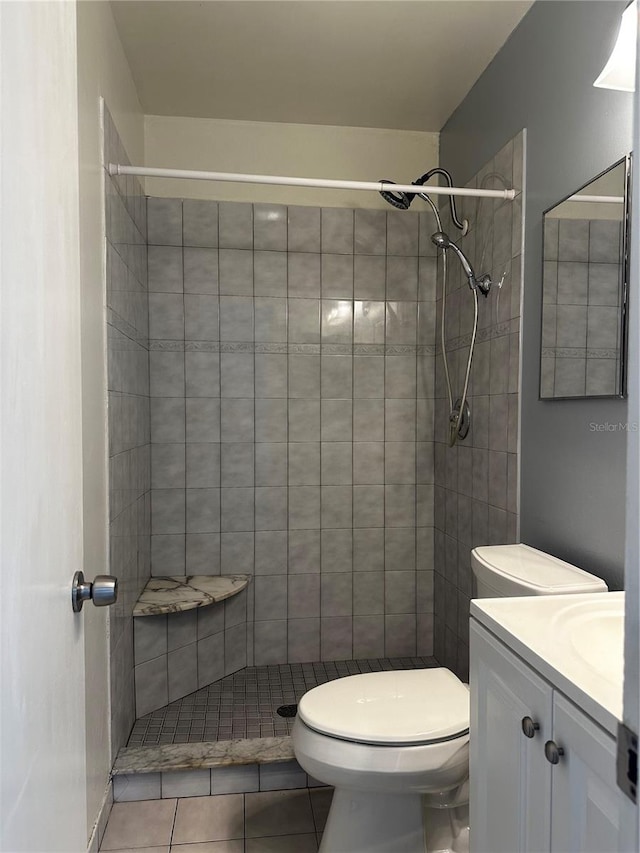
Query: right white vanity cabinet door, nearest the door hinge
x,y
588,810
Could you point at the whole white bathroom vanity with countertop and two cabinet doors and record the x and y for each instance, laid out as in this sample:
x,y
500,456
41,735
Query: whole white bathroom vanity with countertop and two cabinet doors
x,y
546,685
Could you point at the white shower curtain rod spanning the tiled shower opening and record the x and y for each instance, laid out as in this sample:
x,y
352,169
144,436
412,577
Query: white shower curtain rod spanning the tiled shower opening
x,y
377,186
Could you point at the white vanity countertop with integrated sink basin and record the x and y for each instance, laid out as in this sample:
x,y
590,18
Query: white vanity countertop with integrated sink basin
x,y
557,636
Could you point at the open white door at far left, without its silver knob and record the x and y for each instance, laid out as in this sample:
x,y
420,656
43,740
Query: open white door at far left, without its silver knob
x,y
42,675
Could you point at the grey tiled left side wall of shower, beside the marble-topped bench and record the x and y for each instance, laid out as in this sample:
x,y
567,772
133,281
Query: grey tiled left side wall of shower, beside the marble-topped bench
x,y
127,319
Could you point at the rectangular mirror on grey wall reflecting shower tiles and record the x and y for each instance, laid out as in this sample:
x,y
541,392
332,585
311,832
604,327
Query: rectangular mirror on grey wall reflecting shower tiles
x,y
584,289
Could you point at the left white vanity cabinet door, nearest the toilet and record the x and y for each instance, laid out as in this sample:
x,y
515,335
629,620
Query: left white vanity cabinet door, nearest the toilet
x,y
510,779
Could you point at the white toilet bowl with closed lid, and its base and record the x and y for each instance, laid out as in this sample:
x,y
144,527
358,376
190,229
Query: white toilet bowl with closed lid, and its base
x,y
383,739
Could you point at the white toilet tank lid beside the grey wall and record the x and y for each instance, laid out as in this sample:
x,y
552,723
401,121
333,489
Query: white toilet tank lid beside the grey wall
x,y
534,569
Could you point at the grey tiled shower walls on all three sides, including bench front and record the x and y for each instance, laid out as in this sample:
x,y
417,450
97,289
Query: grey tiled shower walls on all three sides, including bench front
x,y
292,391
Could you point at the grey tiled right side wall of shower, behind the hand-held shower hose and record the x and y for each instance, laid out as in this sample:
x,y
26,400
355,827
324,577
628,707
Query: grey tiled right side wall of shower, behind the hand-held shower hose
x,y
476,482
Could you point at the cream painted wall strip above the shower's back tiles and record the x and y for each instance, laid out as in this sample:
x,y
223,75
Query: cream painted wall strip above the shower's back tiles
x,y
350,153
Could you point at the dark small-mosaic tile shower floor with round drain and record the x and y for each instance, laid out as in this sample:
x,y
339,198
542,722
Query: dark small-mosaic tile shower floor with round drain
x,y
244,705
